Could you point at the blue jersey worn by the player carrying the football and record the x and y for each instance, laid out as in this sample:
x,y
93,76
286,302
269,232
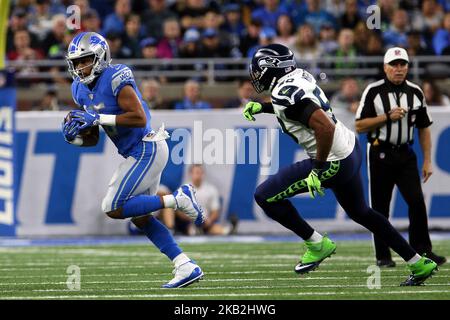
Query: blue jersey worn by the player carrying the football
x,y
103,99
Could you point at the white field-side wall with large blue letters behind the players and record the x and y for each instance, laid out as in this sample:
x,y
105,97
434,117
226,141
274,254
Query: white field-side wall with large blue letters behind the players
x,y
60,187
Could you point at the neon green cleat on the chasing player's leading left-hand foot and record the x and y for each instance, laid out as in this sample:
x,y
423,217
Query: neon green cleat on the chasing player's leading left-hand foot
x,y
315,254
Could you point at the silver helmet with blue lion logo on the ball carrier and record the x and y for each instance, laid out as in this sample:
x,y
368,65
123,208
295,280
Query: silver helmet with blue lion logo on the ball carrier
x,y
88,44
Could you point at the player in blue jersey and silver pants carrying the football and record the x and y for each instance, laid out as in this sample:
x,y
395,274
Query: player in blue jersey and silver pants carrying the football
x,y
110,98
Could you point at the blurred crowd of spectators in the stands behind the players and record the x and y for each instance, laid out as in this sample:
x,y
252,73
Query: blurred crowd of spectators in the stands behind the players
x,y
158,29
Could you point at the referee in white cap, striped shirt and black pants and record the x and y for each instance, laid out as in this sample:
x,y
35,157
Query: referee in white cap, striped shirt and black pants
x,y
389,111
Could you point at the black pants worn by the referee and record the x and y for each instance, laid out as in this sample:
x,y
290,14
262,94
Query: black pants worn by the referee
x,y
389,166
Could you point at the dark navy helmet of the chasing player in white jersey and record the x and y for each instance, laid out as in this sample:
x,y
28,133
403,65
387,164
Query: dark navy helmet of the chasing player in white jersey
x,y
269,64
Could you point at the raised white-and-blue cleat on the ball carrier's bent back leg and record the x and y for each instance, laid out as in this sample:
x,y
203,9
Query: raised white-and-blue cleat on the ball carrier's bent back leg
x,y
187,202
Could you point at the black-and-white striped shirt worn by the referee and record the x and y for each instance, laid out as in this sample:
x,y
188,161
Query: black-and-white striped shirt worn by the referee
x,y
382,96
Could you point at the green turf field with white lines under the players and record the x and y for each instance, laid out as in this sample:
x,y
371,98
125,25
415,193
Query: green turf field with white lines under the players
x,y
232,271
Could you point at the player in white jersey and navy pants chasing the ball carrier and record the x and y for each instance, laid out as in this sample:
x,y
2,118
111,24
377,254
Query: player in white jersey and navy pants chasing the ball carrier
x,y
303,111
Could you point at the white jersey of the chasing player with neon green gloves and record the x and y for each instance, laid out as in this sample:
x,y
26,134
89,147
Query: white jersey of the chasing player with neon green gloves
x,y
289,94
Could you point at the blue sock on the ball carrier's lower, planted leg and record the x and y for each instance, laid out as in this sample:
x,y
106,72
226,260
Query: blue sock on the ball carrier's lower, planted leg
x,y
162,239
